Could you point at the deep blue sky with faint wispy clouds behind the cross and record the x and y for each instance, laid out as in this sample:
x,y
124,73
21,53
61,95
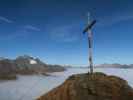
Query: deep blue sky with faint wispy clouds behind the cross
x,y
52,30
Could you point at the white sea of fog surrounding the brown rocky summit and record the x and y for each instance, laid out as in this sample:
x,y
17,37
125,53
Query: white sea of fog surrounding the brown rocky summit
x,y
30,87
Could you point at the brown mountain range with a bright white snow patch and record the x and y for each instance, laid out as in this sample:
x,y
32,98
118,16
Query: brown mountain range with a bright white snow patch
x,y
25,65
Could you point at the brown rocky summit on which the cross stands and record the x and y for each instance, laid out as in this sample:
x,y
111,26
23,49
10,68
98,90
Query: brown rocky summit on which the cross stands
x,y
97,86
